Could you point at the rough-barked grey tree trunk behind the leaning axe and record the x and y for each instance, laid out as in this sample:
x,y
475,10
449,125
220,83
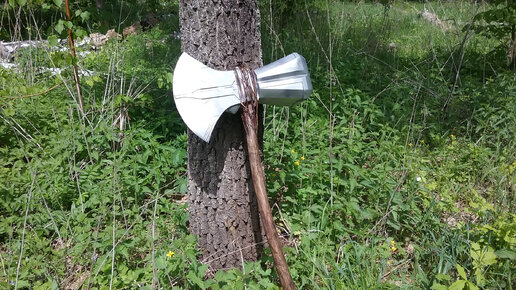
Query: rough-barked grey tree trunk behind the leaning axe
x,y
223,211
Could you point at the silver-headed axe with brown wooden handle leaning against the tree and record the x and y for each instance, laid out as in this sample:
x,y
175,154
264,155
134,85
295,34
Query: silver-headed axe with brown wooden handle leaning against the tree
x,y
202,94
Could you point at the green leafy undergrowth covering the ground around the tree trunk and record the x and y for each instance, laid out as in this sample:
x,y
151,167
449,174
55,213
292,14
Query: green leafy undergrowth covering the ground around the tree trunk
x,y
395,173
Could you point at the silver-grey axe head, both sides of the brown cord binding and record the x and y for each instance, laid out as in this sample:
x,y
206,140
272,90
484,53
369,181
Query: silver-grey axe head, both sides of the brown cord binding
x,y
202,94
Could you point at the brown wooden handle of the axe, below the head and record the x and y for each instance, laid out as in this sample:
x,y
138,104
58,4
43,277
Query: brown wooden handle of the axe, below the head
x,y
263,204
